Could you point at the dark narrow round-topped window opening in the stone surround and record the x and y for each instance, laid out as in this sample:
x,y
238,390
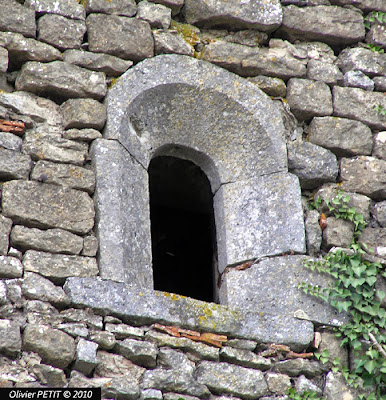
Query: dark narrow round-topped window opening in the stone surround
x,y
182,228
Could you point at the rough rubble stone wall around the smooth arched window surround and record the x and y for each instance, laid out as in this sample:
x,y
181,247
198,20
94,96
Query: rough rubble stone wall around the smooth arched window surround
x,y
57,62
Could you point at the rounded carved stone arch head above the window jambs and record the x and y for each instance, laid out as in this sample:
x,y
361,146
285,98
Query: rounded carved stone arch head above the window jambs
x,y
178,100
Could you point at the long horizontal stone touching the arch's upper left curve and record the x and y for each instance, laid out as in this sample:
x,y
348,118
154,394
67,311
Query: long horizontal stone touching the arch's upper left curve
x,y
61,79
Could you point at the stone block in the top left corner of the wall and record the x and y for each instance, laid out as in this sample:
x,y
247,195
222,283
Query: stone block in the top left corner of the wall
x,y
17,18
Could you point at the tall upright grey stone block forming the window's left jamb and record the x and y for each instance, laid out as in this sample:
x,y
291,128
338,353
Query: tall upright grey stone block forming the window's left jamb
x,y
129,206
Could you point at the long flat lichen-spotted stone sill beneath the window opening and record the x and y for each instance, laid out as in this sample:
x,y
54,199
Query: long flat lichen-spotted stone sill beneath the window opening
x,y
144,306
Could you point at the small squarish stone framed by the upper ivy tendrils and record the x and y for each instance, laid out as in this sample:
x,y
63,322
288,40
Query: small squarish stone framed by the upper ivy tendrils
x,y
338,233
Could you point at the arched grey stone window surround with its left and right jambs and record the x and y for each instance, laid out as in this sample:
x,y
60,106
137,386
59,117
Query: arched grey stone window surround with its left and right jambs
x,y
174,104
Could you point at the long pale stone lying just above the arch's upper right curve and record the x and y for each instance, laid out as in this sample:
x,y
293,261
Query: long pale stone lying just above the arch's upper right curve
x,y
252,61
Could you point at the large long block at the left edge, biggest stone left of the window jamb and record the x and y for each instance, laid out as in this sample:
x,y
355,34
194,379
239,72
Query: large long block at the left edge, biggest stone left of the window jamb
x,y
48,206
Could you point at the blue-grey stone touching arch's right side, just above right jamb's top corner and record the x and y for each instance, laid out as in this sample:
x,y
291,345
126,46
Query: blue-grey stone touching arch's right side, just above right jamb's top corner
x,y
312,164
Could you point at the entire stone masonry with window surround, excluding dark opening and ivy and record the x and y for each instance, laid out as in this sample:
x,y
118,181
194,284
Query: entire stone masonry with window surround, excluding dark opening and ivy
x,y
277,102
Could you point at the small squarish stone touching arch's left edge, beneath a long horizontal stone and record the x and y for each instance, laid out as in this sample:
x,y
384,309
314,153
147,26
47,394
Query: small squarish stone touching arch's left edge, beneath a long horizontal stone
x,y
83,113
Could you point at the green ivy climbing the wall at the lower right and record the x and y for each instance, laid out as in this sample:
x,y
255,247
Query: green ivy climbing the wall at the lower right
x,y
354,292
